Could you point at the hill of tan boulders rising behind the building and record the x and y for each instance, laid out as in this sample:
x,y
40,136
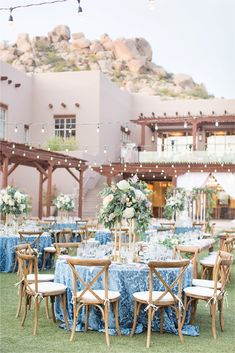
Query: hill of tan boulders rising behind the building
x,y
128,62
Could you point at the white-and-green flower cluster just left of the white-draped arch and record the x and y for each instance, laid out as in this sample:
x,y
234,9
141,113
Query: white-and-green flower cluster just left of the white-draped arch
x,y
175,201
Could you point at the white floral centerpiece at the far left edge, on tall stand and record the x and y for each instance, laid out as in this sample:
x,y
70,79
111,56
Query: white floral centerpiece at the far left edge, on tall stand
x,y
14,202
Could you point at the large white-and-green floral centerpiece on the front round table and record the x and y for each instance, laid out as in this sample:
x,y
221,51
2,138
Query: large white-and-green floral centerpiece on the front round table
x,y
126,200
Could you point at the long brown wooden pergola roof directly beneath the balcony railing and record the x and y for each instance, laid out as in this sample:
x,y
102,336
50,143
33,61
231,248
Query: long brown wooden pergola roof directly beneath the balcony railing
x,y
159,171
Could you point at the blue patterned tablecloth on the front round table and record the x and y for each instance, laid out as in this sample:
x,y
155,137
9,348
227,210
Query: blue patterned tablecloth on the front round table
x,y
126,279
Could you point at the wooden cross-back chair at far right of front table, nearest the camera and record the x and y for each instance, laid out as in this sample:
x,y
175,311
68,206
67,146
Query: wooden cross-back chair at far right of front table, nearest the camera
x,y
212,295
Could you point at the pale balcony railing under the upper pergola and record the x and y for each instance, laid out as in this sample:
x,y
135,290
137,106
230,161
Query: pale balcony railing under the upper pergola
x,y
181,154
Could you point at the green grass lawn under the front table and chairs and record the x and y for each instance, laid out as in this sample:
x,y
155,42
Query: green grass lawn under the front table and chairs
x,y
50,338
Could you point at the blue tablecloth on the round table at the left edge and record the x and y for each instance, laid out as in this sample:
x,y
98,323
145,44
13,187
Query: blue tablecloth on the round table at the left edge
x,y
7,249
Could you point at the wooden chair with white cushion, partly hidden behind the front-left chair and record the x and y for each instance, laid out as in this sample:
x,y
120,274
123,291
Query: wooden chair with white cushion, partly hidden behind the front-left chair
x,y
26,249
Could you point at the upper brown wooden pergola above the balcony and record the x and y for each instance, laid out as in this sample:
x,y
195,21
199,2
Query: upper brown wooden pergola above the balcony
x,y
189,123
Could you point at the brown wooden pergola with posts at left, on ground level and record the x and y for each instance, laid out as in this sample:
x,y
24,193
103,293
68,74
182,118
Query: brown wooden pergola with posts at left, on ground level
x,y
14,154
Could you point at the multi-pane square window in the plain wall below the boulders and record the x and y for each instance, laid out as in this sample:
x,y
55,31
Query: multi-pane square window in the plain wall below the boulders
x,y
65,126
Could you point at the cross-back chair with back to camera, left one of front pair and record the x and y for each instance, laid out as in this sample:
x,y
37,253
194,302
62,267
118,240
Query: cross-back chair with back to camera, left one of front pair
x,y
88,296
